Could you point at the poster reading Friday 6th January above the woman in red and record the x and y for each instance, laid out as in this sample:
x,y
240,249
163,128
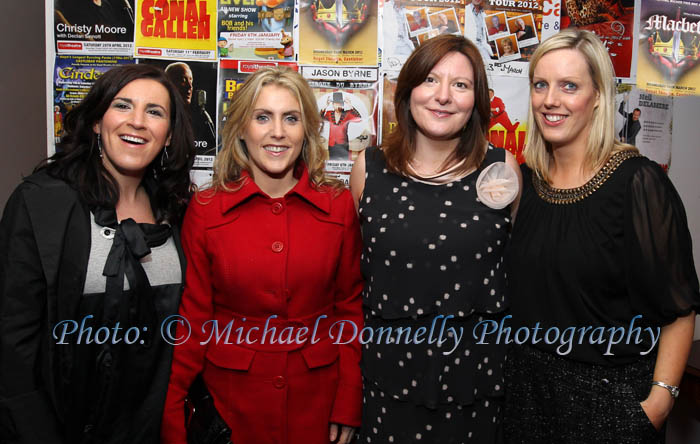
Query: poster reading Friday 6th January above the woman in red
x,y
256,29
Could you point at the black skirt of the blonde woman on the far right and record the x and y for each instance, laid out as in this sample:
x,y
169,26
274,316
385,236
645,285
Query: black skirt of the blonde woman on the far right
x,y
550,399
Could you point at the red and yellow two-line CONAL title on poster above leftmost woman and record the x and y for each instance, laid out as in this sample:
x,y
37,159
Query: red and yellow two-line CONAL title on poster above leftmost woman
x,y
175,19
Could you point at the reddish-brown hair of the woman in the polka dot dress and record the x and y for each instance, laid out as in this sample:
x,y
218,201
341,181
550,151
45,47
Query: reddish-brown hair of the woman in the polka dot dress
x,y
400,144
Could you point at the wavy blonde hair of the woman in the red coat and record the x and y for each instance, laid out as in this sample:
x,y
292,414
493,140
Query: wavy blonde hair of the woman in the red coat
x,y
233,158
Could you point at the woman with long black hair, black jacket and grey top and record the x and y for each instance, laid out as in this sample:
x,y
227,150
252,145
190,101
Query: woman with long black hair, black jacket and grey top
x,y
91,265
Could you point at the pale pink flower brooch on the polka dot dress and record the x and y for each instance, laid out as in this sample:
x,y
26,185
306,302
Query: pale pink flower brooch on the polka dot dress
x,y
497,185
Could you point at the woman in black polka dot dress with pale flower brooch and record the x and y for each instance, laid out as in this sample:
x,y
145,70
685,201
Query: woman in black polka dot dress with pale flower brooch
x,y
436,204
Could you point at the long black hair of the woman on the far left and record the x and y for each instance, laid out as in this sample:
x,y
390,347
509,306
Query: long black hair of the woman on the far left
x,y
77,160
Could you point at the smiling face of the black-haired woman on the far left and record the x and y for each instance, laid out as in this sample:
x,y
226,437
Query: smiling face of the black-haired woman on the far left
x,y
135,128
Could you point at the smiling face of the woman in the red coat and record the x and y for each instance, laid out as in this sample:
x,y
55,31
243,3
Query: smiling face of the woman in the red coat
x,y
274,135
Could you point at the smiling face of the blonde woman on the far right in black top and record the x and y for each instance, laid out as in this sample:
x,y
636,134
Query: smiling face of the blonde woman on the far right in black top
x,y
563,98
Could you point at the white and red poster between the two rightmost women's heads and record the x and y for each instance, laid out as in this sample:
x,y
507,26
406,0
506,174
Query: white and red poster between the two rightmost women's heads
x,y
509,109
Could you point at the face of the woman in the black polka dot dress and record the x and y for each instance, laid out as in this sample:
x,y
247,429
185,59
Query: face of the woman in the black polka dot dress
x,y
443,103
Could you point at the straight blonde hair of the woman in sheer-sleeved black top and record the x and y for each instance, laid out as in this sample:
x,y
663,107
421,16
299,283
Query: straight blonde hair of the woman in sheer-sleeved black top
x,y
601,143
